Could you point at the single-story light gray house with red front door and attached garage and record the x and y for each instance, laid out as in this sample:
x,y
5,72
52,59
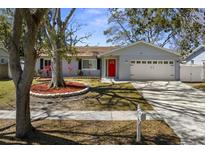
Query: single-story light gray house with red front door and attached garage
x,y
138,61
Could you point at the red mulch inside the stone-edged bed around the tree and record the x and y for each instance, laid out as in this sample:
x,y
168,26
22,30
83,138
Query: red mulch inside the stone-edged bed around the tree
x,y
70,87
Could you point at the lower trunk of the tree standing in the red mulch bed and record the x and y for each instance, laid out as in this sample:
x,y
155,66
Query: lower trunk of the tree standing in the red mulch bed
x,y
57,74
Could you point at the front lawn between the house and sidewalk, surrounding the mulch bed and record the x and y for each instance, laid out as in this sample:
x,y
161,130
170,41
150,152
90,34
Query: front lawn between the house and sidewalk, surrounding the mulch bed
x,y
102,96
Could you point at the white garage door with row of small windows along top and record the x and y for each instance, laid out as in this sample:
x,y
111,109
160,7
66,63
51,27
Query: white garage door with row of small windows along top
x,y
152,70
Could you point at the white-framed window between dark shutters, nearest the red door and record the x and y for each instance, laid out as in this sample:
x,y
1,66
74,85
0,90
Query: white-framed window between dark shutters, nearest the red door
x,y
89,64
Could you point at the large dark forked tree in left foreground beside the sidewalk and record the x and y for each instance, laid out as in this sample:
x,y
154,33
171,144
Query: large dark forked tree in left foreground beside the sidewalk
x,y
22,79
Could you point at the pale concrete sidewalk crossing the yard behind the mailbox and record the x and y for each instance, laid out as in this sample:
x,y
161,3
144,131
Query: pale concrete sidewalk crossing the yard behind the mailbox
x,y
80,115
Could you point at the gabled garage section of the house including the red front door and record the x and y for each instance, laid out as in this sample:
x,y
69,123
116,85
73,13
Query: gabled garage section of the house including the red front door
x,y
140,61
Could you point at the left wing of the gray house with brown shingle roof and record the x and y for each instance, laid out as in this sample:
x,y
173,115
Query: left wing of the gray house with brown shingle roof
x,y
85,63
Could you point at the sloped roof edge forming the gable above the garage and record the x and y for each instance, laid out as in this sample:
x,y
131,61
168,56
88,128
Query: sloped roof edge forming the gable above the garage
x,y
141,43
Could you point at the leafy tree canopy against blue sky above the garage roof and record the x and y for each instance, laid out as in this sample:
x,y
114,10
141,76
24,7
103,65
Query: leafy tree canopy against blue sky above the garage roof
x,y
173,28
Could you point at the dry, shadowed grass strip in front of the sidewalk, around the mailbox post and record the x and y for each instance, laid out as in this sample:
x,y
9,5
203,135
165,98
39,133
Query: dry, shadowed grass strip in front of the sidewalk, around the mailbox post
x,y
90,132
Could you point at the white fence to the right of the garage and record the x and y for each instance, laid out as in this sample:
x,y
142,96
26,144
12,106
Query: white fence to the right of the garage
x,y
192,73
